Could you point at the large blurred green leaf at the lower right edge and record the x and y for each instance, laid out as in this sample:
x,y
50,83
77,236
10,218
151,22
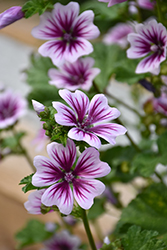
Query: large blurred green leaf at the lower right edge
x,y
148,210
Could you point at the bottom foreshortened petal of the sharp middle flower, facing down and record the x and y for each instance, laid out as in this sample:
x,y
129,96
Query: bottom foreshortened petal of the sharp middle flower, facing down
x,y
80,135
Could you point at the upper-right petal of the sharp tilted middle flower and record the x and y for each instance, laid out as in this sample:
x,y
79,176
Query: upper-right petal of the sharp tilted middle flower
x,y
99,110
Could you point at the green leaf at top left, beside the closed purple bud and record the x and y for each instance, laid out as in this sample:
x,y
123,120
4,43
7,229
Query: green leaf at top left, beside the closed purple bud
x,y
36,6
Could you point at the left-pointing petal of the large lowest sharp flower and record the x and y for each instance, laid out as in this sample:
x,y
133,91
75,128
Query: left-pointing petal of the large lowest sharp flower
x,y
47,172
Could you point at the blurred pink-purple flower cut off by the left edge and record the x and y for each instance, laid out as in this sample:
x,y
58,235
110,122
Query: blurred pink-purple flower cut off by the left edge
x,y
12,107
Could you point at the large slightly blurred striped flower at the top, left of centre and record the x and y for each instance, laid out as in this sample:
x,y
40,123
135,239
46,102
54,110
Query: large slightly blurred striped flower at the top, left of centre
x,y
67,31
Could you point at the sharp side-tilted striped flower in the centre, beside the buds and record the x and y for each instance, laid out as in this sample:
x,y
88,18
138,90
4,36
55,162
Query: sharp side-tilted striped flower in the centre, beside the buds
x,y
84,116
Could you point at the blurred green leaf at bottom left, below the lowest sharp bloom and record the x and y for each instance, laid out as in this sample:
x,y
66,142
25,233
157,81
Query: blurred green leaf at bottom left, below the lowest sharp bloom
x,y
33,232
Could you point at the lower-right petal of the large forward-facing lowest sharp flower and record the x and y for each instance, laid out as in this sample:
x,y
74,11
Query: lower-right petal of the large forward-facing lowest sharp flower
x,y
86,190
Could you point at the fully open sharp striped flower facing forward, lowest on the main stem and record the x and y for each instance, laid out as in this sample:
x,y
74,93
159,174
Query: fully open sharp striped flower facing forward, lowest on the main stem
x,y
58,174
